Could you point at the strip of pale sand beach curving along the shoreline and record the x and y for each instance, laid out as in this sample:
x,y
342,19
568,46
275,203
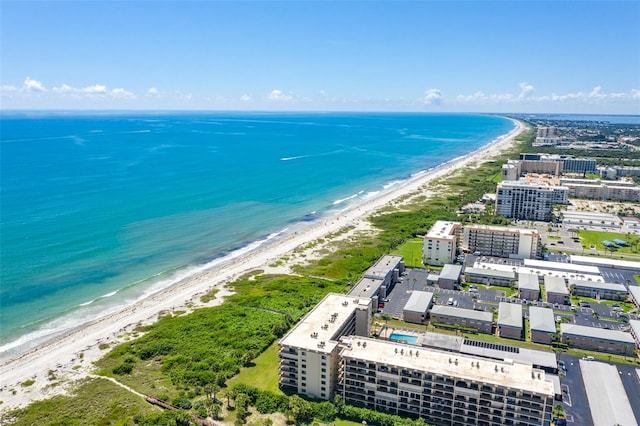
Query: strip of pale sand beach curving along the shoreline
x,y
70,357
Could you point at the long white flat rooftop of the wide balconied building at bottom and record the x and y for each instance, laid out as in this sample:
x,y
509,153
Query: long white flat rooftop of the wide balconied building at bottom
x,y
508,373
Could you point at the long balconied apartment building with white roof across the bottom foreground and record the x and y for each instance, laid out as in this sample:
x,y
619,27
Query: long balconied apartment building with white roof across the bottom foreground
x,y
443,387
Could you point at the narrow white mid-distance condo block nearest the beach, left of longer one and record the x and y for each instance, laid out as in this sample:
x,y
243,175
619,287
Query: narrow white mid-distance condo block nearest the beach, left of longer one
x,y
440,243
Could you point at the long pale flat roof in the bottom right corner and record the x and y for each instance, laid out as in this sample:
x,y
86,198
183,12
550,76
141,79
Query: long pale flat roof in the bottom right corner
x,y
608,400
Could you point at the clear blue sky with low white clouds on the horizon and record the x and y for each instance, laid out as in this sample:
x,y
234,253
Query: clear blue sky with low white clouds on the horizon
x,y
434,56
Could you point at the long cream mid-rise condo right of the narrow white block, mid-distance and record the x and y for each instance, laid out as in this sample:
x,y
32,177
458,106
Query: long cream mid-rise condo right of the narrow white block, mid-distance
x,y
502,241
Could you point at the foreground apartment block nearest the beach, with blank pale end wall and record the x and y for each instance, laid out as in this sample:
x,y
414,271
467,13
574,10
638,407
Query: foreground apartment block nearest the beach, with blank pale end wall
x,y
309,353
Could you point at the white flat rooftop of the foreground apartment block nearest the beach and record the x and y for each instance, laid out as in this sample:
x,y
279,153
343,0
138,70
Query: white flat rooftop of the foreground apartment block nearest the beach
x,y
320,328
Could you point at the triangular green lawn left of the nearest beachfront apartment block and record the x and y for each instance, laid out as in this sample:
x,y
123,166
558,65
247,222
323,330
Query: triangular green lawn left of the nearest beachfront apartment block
x,y
263,374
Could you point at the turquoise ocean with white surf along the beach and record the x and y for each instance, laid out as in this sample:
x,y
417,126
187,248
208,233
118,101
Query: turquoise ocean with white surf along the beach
x,y
99,210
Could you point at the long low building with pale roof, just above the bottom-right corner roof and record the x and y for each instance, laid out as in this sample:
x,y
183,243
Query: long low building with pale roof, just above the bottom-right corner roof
x,y
597,339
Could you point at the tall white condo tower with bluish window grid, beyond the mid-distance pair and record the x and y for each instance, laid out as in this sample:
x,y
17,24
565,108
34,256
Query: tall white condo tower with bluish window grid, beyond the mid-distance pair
x,y
527,200
